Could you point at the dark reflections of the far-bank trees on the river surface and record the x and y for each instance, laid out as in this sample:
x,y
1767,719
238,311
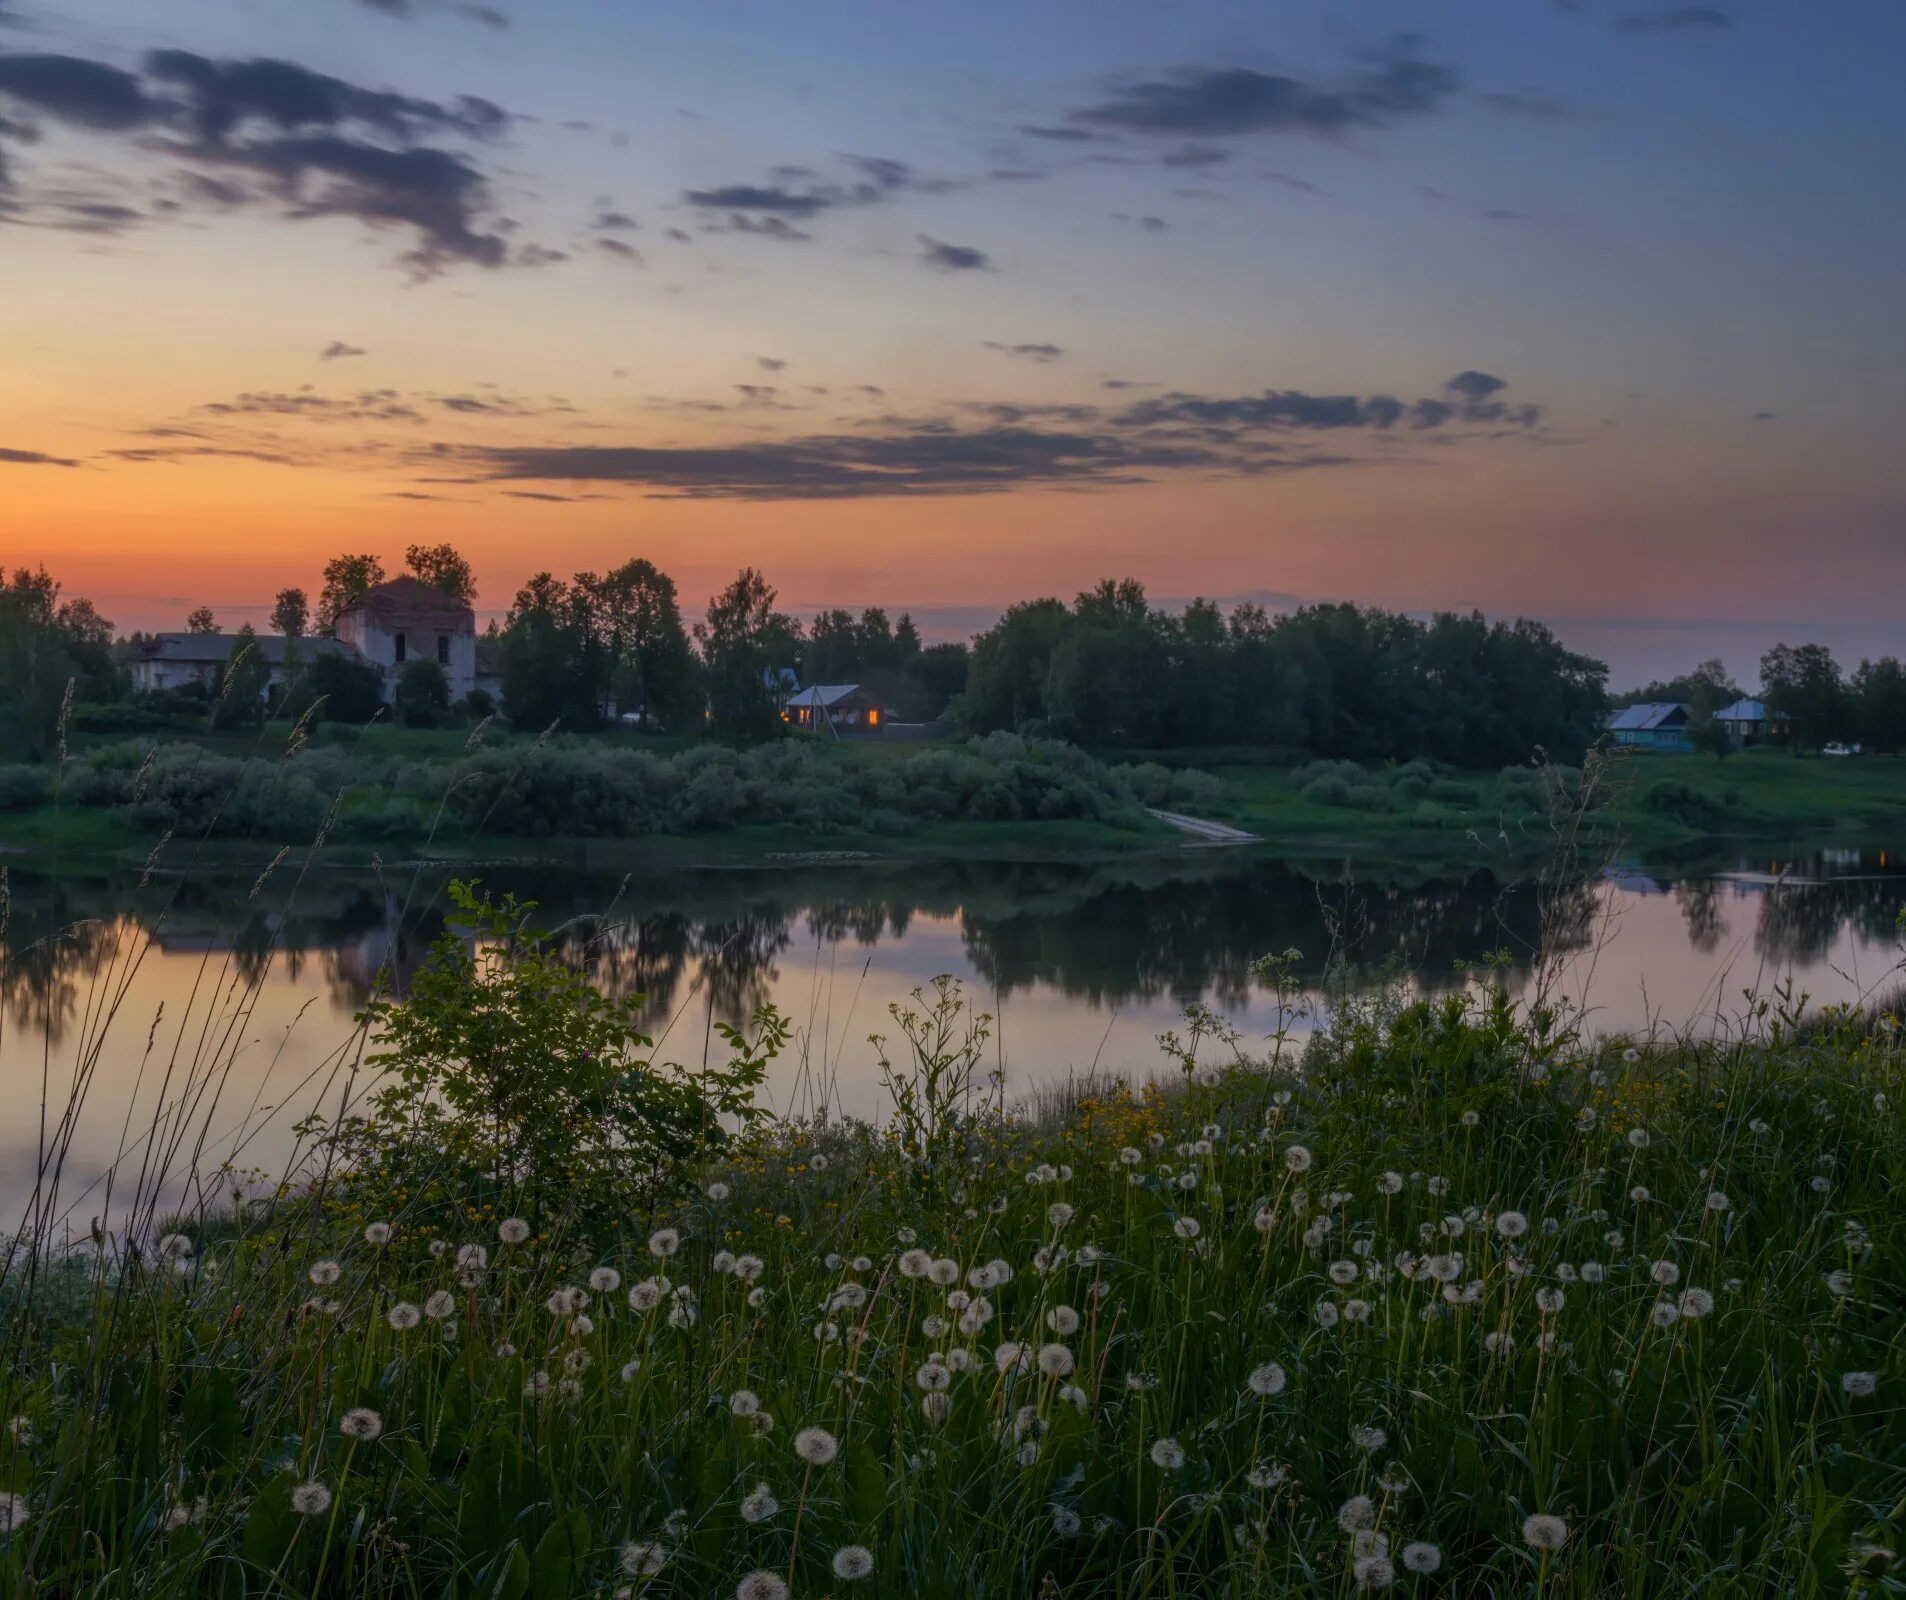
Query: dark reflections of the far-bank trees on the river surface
x,y
1110,932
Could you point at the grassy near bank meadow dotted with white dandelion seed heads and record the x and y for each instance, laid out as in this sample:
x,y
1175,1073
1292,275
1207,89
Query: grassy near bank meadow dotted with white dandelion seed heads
x,y
1448,1300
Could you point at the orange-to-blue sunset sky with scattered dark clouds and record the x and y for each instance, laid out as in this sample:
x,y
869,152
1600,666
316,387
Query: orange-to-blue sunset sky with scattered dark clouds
x,y
1589,312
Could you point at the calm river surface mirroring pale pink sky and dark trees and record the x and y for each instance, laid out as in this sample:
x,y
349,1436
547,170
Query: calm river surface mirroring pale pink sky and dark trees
x,y
1082,970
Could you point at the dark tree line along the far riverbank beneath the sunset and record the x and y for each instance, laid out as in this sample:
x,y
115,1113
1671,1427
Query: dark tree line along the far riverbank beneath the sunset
x,y
1108,670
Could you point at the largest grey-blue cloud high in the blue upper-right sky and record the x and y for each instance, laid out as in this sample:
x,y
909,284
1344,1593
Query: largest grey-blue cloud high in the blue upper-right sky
x,y
1238,100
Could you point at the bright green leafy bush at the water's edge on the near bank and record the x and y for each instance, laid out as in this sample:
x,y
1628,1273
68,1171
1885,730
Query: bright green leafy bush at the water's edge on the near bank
x,y
510,1075
